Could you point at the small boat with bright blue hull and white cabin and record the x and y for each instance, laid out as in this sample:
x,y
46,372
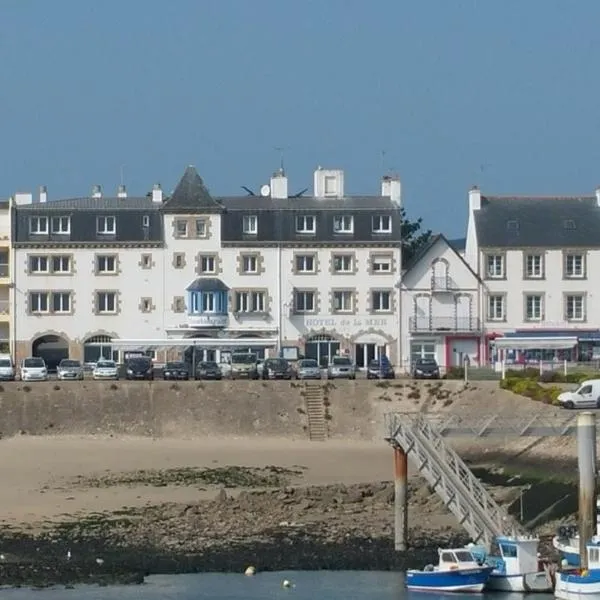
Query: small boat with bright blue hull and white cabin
x,y
457,571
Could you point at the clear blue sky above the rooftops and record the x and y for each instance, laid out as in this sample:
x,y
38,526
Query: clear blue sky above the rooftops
x,y
503,94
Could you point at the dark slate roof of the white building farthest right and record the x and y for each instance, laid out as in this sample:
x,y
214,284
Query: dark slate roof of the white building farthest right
x,y
524,222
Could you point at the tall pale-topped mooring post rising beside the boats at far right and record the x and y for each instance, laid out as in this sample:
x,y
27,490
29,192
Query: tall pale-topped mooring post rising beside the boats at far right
x,y
586,459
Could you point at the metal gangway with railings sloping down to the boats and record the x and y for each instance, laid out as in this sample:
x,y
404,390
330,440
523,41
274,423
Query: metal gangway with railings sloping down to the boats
x,y
421,437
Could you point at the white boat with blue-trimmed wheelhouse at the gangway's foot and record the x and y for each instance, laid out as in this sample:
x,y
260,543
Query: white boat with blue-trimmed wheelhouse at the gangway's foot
x,y
516,565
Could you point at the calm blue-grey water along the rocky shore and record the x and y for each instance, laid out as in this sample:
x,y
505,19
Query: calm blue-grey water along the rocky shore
x,y
309,585
